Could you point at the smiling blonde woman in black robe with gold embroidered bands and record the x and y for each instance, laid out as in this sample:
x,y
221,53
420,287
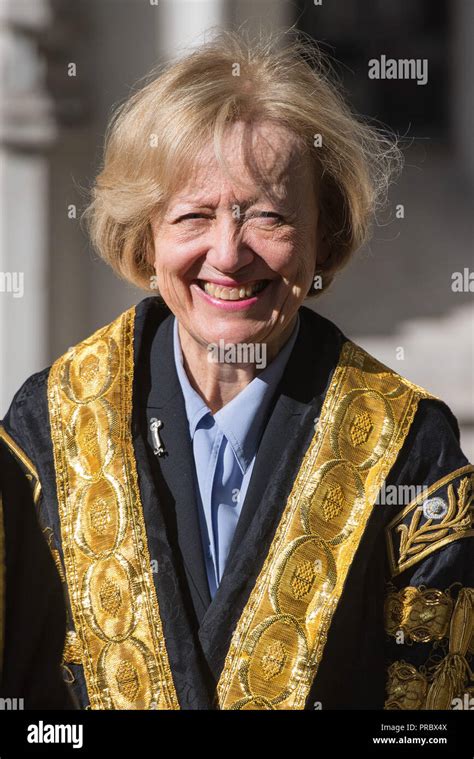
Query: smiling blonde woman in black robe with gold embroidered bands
x,y
212,462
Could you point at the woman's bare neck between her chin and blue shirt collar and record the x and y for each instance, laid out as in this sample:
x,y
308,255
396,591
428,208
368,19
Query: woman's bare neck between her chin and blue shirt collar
x,y
218,383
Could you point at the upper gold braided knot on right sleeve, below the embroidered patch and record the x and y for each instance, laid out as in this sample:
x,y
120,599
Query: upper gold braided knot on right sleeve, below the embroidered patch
x,y
422,615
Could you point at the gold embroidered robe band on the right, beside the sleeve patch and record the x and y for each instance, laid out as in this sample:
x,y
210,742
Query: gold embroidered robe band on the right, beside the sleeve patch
x,y
365,418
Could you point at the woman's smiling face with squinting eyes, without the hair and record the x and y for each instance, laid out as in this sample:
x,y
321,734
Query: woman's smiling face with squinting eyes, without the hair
x,y
235,261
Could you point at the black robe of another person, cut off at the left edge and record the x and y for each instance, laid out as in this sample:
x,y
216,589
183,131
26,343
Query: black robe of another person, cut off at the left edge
x,y
32,608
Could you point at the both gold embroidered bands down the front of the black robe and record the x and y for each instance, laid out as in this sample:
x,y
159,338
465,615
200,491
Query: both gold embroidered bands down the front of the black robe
x,y
280,637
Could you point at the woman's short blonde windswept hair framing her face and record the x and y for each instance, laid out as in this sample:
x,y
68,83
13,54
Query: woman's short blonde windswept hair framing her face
x,y
155,135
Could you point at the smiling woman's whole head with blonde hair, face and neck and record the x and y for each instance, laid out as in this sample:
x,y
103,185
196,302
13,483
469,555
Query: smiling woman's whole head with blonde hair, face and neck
x,y
239,167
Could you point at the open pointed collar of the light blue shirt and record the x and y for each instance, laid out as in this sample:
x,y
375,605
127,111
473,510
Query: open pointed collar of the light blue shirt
x,y
242,419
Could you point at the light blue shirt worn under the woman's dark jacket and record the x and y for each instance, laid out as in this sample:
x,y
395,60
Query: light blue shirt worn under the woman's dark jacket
x,y
225,446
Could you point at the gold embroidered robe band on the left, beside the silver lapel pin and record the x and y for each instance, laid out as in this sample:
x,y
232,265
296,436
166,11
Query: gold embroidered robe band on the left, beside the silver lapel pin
x,y
113,599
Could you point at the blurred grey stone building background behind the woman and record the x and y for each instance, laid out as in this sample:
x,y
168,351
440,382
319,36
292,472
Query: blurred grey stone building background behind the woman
x,y
63,65
